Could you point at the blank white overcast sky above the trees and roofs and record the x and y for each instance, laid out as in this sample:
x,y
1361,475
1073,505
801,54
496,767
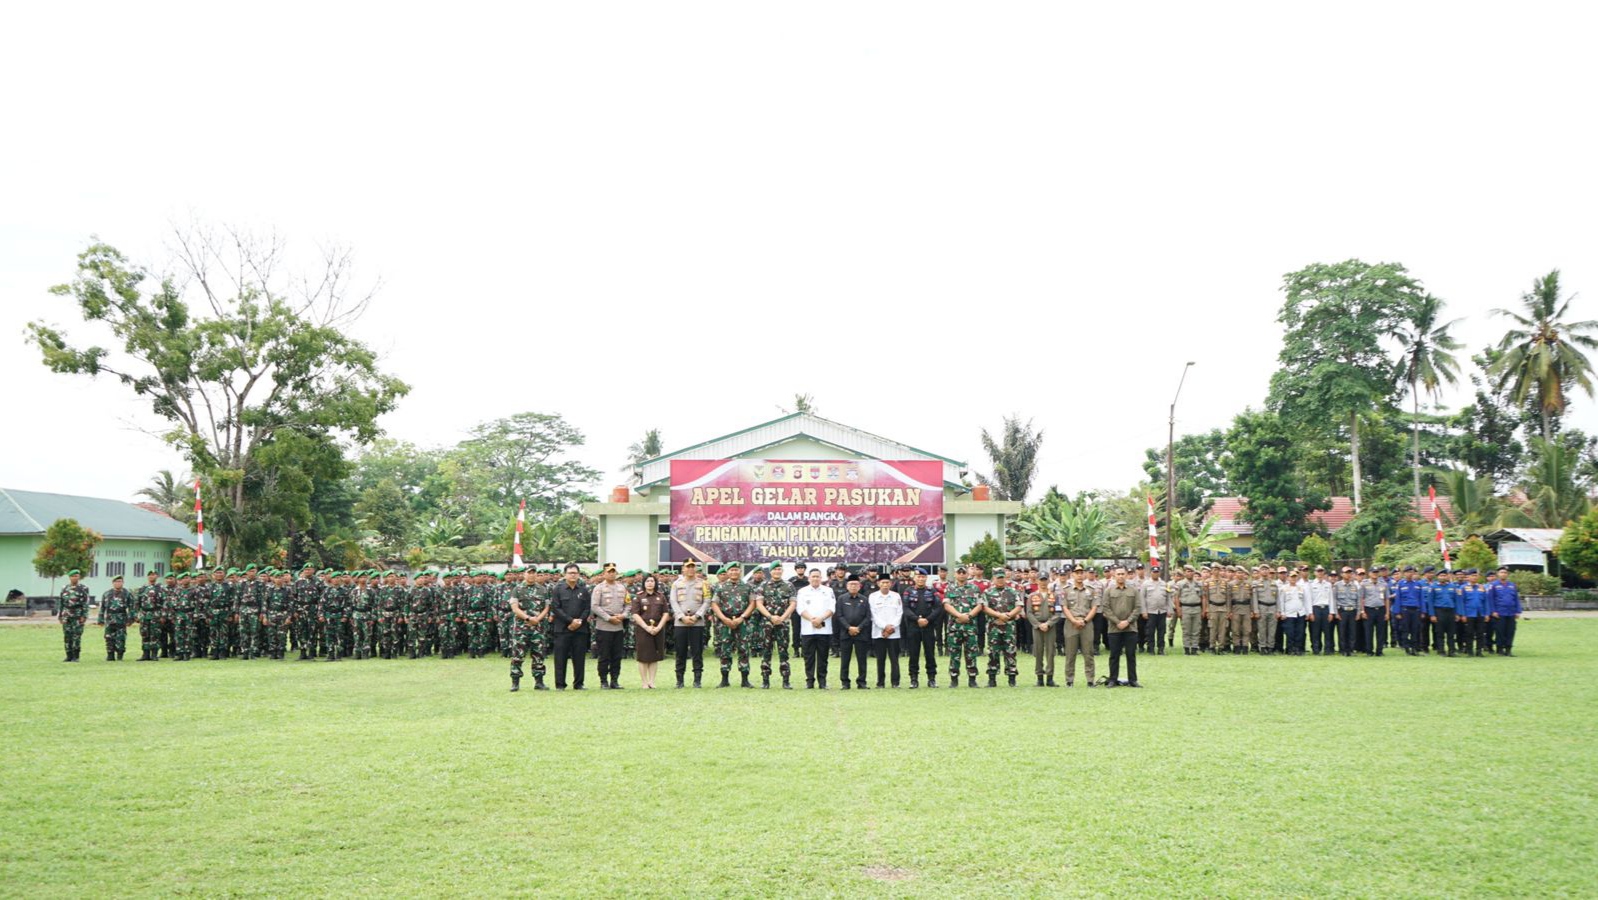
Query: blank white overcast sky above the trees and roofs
x,y
924,215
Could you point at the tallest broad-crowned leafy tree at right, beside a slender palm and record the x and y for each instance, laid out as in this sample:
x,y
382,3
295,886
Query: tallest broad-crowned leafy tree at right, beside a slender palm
x,y
1335,367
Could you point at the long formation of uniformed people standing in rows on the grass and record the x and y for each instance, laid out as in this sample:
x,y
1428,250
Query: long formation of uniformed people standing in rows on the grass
x,y
848,616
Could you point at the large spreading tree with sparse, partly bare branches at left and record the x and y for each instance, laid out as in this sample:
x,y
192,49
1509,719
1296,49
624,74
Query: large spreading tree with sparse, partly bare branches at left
x,y
231,352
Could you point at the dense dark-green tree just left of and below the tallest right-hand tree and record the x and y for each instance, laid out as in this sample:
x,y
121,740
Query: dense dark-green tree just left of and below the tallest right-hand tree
x,y
1263,460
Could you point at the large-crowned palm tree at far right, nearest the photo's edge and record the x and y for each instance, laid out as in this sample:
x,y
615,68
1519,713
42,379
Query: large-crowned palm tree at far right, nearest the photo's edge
x,y
1546,352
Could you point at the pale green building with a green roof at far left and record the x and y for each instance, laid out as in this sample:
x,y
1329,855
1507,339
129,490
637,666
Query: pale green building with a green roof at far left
x,y
138,540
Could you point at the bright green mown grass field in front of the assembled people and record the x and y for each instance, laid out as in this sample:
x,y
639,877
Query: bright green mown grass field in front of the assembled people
x,y
1223,778
